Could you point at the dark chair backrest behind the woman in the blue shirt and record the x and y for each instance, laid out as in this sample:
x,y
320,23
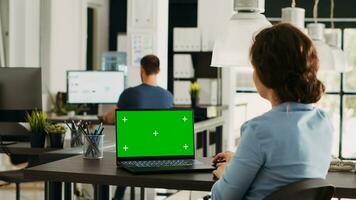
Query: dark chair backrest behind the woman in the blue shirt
x,y
308,189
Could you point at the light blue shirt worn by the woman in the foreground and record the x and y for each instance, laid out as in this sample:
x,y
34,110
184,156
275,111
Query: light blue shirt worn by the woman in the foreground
x,y
291,142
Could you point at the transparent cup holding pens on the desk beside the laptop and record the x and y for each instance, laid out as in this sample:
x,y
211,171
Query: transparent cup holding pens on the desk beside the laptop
x,y
93,146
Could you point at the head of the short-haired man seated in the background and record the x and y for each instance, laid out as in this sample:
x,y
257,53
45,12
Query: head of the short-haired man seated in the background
x,y
149,66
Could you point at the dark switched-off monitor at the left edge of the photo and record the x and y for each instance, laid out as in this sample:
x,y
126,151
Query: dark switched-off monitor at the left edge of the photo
x,y
20,92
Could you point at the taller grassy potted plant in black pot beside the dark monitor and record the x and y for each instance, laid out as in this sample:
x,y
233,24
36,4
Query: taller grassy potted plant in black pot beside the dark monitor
x,y
37,121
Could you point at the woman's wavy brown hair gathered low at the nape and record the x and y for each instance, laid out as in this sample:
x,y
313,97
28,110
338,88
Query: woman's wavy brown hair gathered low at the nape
x,y
286,61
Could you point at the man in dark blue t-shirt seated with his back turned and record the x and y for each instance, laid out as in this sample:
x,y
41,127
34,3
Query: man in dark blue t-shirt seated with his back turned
x,y
144,96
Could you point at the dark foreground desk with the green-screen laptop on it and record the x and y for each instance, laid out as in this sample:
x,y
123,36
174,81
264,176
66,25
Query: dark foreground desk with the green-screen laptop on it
x,y
104,172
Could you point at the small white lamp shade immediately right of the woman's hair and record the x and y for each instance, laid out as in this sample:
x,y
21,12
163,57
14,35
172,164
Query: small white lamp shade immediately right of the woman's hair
x,y
325,55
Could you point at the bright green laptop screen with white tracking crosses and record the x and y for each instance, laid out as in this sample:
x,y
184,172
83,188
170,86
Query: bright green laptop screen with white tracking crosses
x,y
144,133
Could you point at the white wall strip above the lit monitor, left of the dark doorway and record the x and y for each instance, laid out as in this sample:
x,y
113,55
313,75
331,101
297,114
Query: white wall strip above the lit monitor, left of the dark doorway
x,y
65,41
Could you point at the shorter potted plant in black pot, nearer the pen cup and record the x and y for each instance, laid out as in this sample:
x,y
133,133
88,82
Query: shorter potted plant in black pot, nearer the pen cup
x,y
56,133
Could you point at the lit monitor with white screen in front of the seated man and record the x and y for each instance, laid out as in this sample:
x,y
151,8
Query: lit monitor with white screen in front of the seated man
x,y
93,87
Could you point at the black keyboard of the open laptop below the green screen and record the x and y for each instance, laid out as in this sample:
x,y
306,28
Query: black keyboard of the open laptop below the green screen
x,y
158,163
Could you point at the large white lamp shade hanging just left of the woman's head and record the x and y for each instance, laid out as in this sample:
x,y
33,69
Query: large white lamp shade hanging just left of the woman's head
x,y
231,48
